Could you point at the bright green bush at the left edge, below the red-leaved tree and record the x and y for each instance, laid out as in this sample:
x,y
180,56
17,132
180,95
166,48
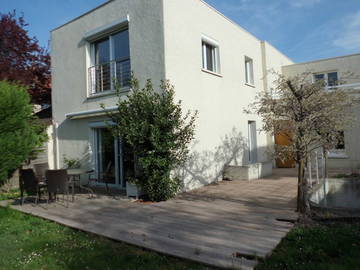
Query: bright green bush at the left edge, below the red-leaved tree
x,y
20,133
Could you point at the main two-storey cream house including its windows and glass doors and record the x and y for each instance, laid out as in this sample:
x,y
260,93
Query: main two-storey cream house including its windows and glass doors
x,y
216,66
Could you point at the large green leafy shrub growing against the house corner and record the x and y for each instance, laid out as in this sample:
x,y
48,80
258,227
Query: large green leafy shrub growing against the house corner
x,y
154,125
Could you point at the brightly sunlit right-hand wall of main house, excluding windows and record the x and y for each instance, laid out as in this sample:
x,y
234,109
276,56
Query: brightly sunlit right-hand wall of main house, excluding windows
x,y
222,126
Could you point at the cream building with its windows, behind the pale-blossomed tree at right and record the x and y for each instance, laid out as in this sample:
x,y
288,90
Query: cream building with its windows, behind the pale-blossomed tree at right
x,y
338,72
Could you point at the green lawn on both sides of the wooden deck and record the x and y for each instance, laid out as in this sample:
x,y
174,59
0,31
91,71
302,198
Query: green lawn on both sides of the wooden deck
x,y
28,242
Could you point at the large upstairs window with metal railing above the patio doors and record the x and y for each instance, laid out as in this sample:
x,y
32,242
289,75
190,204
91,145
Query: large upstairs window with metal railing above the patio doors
x,y
110,58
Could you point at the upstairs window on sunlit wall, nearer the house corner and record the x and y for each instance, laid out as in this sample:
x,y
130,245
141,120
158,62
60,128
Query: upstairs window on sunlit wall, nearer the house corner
x,y
210,57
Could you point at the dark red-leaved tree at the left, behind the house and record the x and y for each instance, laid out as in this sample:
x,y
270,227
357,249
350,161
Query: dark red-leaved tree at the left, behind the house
x,y
22,60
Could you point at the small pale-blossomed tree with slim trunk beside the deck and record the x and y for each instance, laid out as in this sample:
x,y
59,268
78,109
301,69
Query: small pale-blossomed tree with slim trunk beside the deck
x,y
311,116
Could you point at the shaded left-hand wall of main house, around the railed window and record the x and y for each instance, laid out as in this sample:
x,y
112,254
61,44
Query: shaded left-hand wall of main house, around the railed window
x,y
70,62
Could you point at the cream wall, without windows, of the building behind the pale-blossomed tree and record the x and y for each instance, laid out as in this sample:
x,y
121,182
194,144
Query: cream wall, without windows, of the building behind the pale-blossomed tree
x,y
350,159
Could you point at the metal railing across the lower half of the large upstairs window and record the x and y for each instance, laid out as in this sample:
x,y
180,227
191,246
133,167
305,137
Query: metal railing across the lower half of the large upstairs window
x,y
106,76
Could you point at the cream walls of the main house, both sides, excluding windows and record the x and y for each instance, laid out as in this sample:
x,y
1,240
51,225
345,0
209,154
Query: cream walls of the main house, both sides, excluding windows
x,y
165,42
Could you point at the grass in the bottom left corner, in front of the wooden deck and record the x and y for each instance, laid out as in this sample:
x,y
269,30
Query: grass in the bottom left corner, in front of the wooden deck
x,y
28,242
